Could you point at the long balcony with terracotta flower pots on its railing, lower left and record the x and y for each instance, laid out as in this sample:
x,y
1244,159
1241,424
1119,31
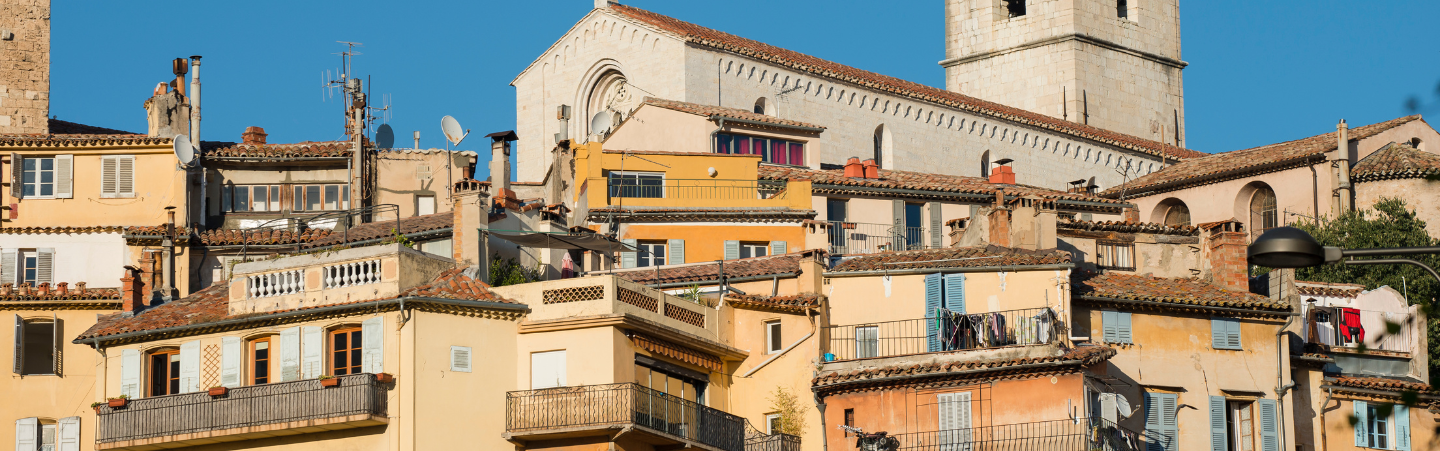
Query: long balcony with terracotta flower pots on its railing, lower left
x,y
248,413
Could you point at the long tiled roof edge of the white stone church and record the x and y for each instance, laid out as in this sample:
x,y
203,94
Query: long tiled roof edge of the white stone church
x,y
703,37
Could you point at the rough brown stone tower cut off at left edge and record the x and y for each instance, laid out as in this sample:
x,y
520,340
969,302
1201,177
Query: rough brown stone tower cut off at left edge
x,y
25,66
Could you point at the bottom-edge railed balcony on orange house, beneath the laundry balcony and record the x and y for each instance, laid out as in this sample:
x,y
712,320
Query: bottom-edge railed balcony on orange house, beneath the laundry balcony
x,y
1046,436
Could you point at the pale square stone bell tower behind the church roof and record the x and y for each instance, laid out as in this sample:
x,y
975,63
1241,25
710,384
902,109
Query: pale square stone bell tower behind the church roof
x,y
1111,64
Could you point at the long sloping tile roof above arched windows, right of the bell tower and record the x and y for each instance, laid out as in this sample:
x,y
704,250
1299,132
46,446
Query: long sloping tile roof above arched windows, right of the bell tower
x,y
1241,164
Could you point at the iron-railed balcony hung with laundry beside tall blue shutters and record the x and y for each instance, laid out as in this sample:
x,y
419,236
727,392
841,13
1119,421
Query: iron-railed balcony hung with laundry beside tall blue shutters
x,y
947,334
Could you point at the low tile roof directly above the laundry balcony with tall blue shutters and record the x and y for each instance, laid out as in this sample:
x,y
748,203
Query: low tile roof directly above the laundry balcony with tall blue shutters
x,y
974,257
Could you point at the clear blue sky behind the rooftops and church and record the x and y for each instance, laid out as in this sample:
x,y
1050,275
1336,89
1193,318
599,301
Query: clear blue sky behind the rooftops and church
x,y
1259,71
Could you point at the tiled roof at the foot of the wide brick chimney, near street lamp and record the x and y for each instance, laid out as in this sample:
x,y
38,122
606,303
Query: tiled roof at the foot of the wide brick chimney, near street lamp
x,y
1180,292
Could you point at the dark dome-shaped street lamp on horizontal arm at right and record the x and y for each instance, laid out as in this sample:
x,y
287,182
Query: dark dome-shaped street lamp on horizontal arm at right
x,y
1295,249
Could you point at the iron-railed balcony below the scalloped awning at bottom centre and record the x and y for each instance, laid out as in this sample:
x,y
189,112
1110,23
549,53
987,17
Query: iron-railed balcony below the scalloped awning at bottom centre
x,y
600,410
